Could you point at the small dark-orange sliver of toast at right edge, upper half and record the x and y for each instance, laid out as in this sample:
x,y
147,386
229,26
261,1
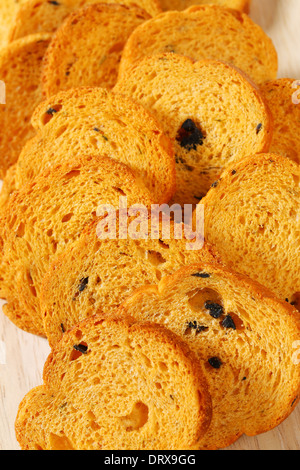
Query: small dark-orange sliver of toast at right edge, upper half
x,y
283,98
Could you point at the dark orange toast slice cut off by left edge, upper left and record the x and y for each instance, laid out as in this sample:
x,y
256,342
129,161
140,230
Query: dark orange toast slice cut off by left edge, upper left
x,y
20,69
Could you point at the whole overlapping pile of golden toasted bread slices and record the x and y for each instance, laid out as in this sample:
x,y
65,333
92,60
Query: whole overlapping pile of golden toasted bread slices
x,y
117,110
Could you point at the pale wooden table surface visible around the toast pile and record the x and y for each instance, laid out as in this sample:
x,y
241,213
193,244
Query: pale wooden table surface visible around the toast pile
x,y
22,355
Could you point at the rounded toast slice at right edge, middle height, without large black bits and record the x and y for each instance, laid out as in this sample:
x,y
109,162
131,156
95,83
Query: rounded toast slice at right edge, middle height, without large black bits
x,y
252,218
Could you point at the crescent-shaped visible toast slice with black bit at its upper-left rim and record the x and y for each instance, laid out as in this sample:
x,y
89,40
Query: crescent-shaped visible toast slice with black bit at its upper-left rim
x,y
95,121
